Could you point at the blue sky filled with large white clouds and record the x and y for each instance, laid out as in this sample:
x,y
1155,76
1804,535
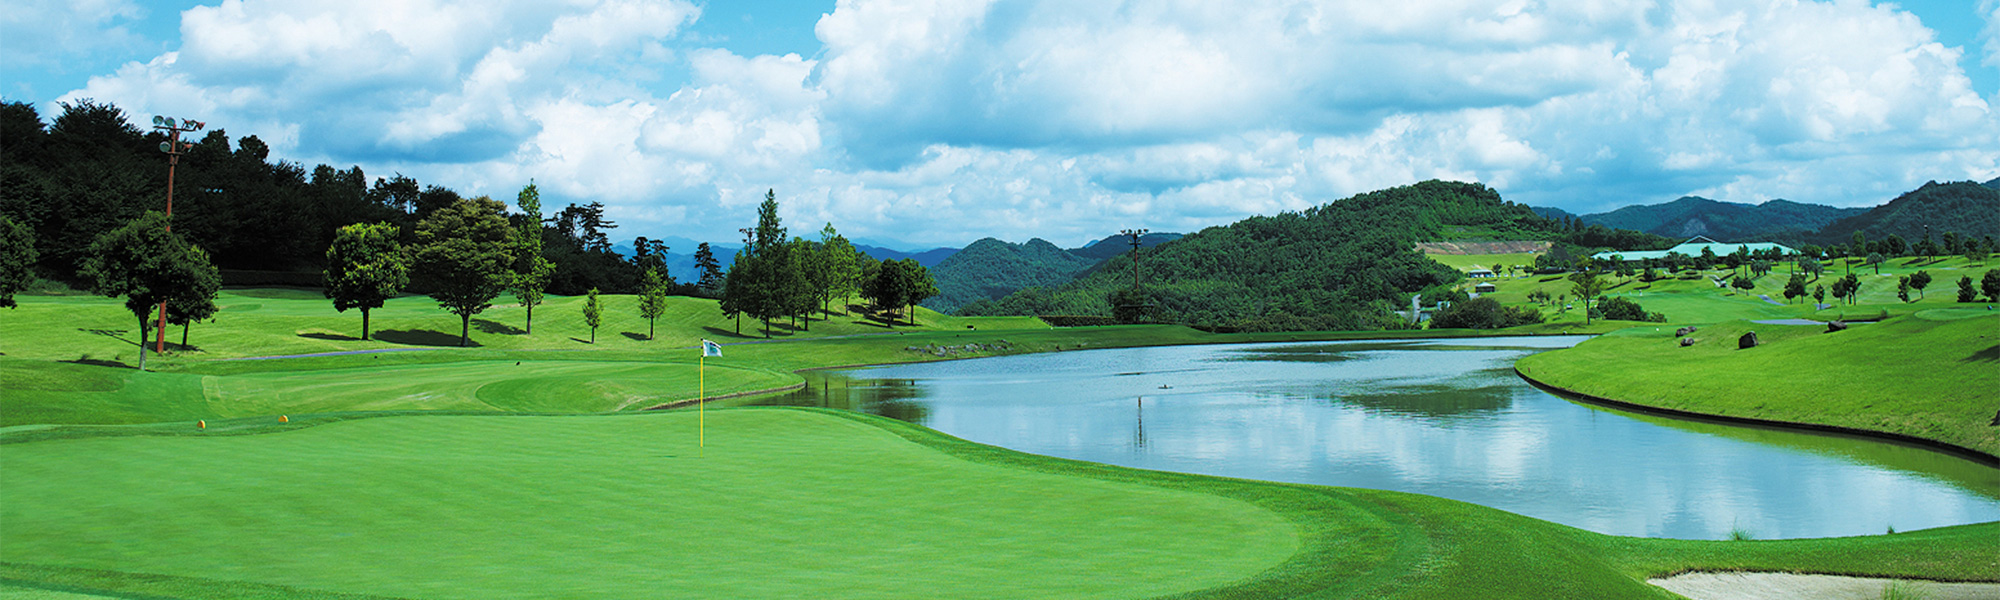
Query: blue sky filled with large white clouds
x,y
949,121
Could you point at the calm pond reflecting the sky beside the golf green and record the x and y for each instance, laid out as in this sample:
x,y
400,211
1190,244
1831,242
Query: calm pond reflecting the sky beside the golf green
x,y
1431,417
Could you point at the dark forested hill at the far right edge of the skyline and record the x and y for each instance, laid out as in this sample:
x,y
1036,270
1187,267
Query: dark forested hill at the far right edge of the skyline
x,y
1967,209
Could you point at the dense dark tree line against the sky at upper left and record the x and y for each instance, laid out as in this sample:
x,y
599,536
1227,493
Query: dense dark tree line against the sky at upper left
x,y
261,221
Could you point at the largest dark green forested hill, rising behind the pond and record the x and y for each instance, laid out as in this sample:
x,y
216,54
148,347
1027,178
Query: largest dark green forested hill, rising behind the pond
x,y
1335,267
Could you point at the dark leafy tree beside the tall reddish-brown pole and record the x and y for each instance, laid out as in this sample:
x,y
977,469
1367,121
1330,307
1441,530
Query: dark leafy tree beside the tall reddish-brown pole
x,y
147,265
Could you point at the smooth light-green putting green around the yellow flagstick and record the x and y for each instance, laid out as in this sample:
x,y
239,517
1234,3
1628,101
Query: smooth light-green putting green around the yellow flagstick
x,y
779,505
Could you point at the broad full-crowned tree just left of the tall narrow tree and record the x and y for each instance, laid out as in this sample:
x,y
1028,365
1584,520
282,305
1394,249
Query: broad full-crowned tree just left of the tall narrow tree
x,y
465,253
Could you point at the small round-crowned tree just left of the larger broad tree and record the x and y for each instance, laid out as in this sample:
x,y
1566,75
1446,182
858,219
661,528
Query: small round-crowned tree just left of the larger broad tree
x,y
365,267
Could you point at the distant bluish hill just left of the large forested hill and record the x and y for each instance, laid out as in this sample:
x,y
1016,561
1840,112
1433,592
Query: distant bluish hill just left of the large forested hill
x,y
993,269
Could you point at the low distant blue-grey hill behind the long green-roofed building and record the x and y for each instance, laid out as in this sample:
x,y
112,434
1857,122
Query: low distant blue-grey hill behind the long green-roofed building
x,y
1723,221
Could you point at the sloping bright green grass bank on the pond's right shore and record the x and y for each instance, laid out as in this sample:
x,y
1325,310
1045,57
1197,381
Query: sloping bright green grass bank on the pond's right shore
x,y
1931,375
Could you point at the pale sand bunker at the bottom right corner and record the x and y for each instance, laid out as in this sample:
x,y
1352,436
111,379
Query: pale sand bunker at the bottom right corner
x,y
1787,587
